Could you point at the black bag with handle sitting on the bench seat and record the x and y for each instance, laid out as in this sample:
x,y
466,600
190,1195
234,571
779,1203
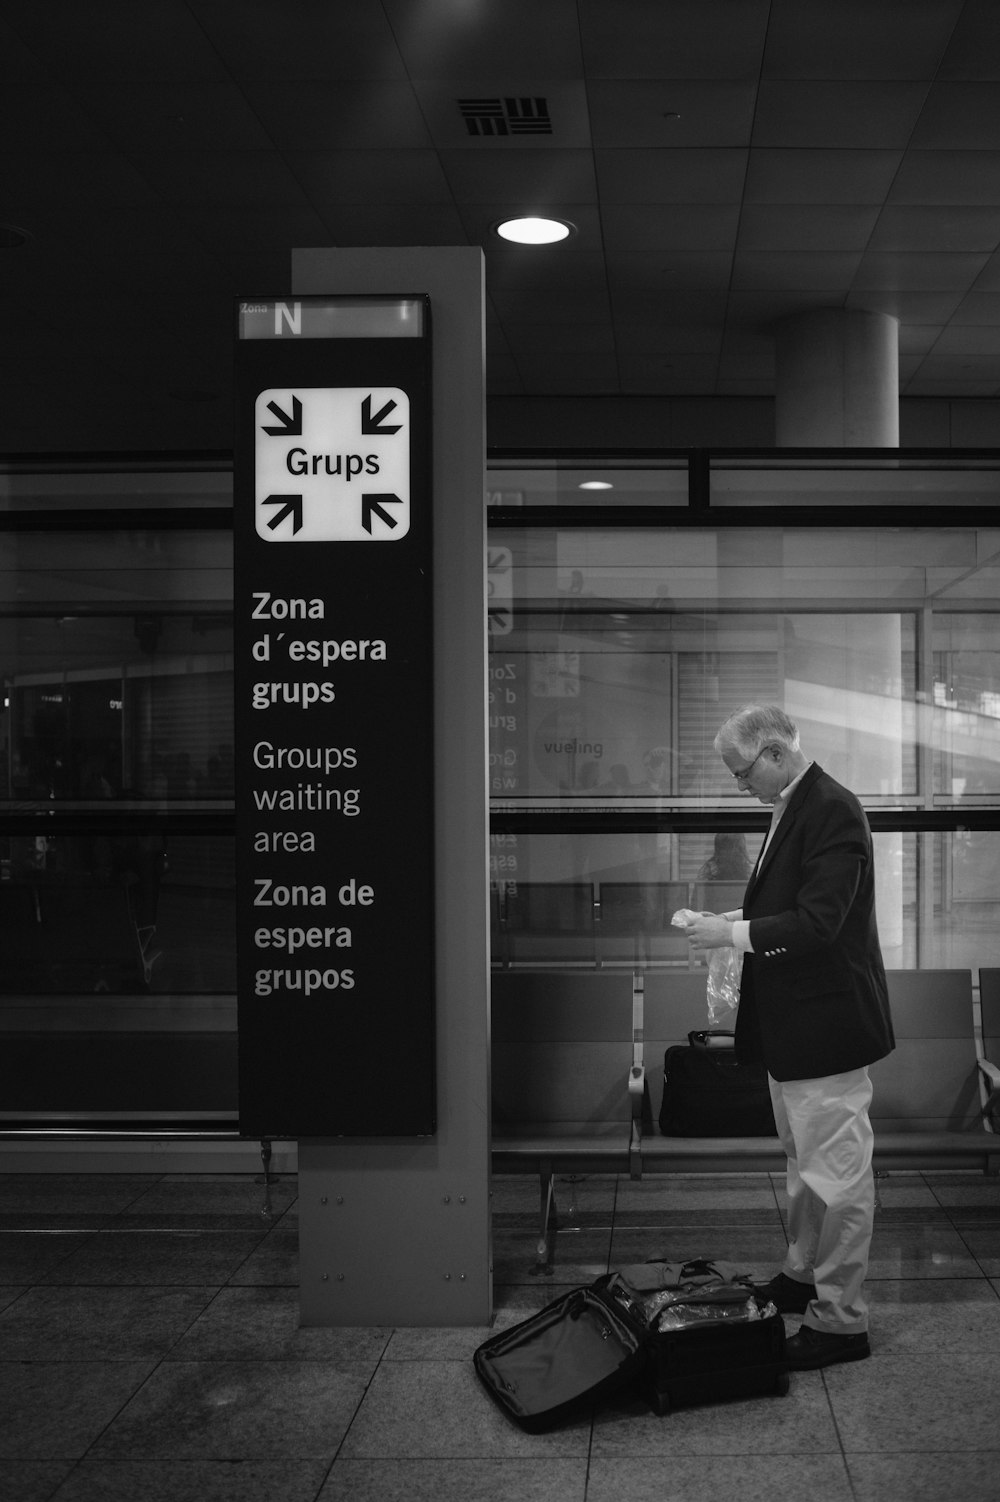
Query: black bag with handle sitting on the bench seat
x,y
709,1094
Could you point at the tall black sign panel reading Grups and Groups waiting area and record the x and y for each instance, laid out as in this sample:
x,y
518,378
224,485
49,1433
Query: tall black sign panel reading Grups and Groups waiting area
x,y
334,654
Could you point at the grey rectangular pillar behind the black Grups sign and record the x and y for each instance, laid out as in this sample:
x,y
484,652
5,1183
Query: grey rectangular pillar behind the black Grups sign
x,y
399,1232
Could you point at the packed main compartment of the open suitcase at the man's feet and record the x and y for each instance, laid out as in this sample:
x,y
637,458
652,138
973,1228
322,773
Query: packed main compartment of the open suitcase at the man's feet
x,y
706,1347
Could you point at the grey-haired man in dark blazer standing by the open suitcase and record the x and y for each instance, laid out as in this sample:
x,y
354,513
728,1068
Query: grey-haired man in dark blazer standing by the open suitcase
x,y
815,1009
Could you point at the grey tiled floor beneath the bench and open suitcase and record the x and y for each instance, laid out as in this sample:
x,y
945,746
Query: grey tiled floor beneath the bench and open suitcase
x,y
151,1353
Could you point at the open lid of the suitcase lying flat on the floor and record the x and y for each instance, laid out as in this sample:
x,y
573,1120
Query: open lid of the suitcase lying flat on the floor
x,y
556,1365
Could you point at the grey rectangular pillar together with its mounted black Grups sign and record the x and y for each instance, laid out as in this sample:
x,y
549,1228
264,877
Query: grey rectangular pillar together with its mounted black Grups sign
x,y
364,929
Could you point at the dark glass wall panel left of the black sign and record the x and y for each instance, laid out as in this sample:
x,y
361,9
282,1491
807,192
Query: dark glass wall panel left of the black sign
x,y
116,800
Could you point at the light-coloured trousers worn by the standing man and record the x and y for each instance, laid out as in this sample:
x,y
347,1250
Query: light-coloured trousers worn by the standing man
x,y
825,1130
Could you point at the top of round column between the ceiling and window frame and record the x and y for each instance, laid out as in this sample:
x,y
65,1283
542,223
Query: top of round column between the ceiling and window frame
x,y
837,379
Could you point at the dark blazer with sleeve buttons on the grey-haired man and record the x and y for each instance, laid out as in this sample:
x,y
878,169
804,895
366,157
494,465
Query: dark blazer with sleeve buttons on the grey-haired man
x,y
813,994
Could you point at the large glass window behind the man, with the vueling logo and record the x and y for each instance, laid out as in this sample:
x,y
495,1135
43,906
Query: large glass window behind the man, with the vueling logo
x,y
625,648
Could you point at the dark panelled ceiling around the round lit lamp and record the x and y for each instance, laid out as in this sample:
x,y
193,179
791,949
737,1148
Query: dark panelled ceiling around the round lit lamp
x,y
726,163
